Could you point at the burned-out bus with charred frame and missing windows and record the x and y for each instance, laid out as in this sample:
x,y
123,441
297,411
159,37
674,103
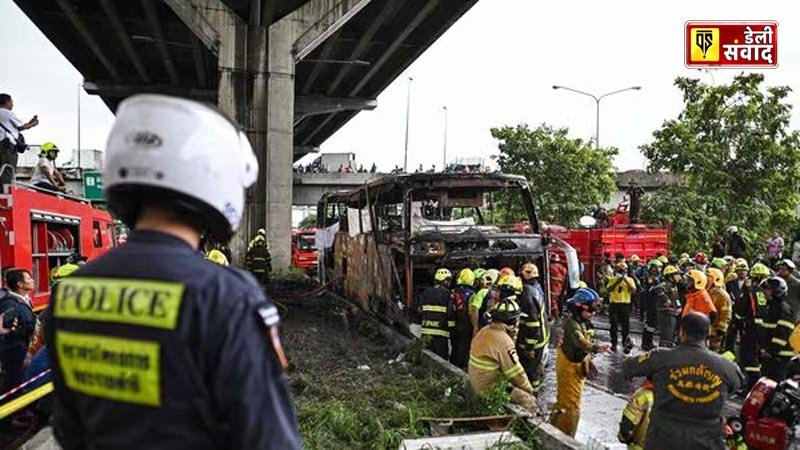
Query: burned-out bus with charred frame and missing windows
x,y
385,239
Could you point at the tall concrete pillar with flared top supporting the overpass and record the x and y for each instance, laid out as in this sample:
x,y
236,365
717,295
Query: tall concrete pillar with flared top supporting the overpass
x,y
256,89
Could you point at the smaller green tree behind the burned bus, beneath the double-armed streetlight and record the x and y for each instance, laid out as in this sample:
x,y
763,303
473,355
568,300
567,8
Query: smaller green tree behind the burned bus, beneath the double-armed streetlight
x,y
567,176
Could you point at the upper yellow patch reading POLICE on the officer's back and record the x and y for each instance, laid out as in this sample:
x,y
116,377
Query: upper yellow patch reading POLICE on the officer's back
x,y
149,303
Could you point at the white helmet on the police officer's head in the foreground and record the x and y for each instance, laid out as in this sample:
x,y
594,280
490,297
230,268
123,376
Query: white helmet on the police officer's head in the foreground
x,y
180,154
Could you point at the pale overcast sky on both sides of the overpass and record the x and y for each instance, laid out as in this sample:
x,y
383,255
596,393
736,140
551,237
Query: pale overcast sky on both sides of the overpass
x,y
494,67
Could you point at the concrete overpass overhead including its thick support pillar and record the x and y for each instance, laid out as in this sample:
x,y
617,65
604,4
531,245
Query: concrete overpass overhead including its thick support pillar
x,y
291,72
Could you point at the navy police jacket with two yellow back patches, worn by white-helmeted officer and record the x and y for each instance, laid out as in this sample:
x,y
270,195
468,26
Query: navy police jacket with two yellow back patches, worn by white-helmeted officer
x,y
154,347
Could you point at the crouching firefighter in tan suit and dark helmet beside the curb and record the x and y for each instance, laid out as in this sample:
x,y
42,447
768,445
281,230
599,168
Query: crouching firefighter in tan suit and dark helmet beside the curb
x,y
493,355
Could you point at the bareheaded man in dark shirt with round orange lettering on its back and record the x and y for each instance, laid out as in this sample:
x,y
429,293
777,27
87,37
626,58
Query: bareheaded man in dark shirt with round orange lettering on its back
x,y
690,386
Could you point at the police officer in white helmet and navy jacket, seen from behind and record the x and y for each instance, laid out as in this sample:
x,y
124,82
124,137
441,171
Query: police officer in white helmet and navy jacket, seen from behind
x,y
152,345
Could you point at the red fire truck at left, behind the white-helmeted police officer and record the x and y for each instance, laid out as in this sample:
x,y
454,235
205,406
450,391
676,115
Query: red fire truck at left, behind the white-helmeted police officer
x,y
39,230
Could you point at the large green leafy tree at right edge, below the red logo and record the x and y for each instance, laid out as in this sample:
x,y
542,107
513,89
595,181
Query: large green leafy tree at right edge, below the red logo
x,y
737,159
